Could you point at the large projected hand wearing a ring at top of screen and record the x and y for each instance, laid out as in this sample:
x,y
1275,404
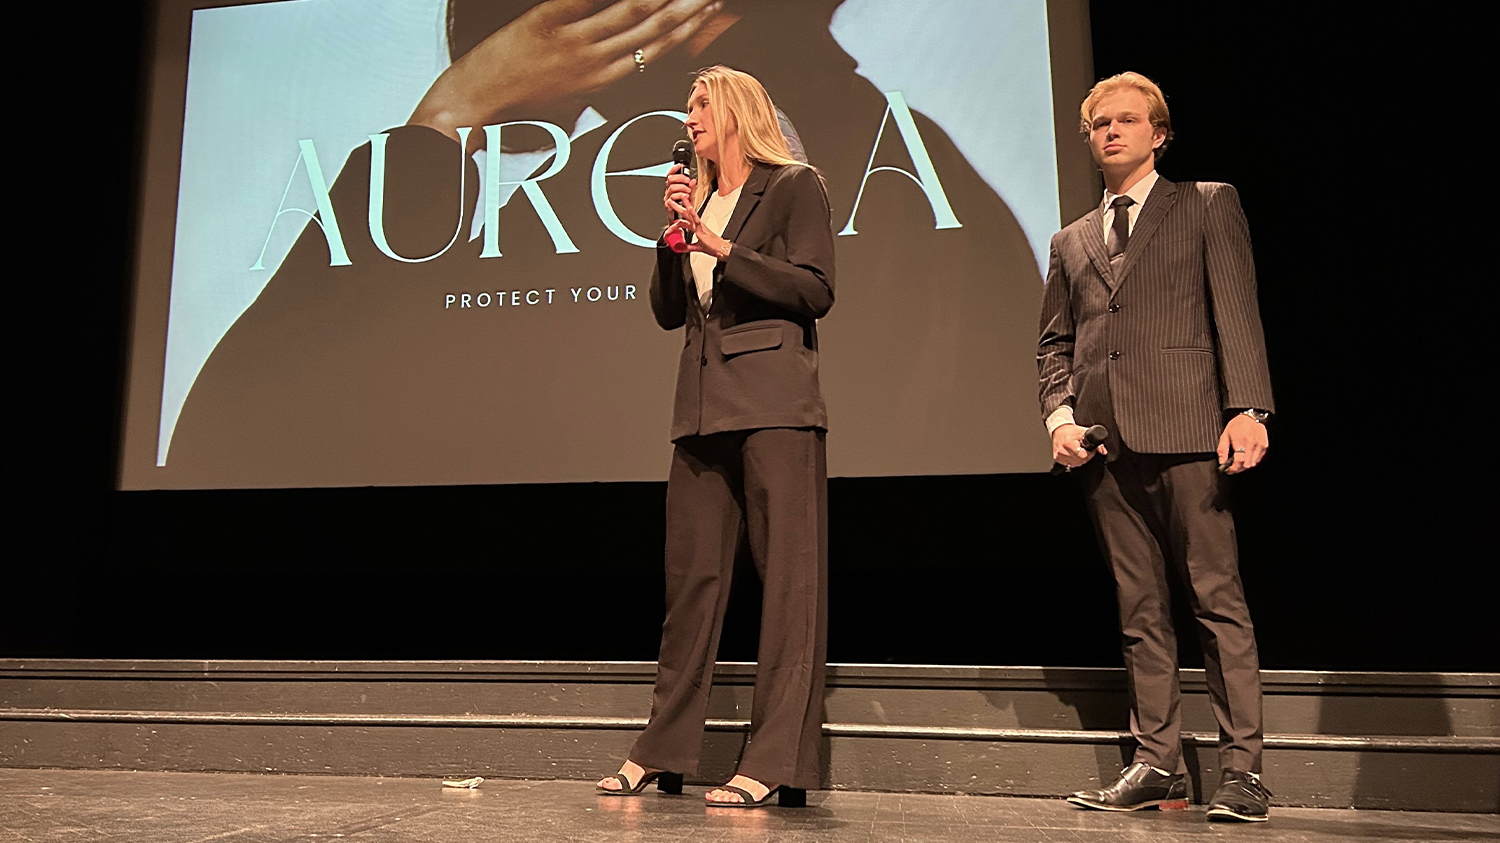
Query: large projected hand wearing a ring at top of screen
x,y
553,56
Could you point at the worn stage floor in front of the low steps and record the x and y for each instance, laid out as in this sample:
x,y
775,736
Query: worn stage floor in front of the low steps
x,y
44,806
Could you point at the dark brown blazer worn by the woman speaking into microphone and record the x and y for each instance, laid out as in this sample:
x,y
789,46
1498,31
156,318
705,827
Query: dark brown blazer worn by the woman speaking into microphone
x,y
751,362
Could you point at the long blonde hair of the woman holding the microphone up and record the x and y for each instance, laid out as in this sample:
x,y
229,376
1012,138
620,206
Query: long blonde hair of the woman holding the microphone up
x,y
737,98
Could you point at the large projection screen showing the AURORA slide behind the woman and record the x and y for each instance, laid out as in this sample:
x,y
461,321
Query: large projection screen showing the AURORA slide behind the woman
x,y
358,301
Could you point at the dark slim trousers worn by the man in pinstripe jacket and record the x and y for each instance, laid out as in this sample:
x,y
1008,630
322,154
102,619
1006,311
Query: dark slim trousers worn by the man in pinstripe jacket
x,y
1159,512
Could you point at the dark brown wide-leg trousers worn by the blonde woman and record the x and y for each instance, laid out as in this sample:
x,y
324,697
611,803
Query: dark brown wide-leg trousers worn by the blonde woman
x,y
773,487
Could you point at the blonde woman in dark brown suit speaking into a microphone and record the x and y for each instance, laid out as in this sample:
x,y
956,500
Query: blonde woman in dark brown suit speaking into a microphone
x,y
749,457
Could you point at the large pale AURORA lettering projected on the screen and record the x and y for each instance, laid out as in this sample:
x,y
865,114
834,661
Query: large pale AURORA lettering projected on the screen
x,y
896,110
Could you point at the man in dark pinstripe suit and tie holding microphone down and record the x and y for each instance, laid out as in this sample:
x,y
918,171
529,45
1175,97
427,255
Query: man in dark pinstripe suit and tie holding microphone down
x,y
1150,326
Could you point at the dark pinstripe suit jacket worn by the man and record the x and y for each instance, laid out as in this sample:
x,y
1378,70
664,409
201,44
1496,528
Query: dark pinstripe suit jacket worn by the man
x,y
1160,347
